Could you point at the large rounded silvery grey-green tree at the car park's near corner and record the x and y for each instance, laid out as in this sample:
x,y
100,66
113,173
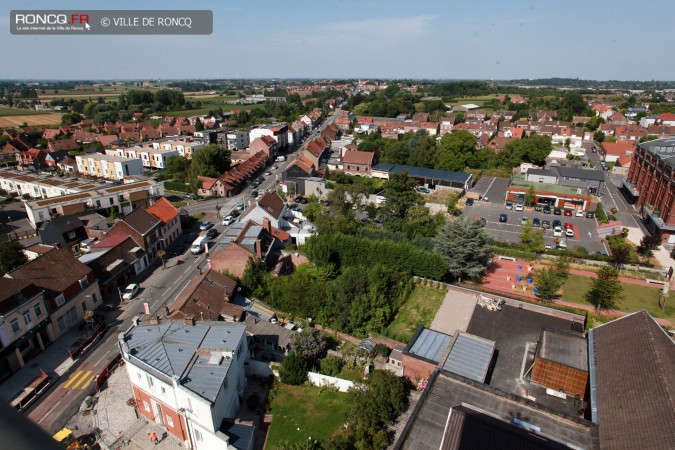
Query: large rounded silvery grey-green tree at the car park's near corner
x,y
465,246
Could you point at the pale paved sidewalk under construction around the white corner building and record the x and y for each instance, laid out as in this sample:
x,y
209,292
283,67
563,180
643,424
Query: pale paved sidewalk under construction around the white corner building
x,y
118,423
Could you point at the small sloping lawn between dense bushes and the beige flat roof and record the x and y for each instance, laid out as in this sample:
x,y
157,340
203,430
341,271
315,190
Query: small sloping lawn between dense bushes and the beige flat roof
x,y
421,307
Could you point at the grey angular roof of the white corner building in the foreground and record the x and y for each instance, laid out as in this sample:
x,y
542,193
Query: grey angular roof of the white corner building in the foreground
x,y
170,348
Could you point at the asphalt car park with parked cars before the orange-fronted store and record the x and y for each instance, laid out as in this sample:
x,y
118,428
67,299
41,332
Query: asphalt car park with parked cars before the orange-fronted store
x,y
584,229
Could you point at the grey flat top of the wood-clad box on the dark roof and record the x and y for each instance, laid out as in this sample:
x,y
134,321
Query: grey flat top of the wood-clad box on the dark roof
x,y
564,348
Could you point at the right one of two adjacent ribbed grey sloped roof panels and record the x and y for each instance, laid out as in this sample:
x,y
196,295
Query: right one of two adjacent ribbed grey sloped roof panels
x,y
470,356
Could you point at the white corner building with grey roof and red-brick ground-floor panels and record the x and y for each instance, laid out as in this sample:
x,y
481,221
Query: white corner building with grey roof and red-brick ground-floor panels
x,y
188,377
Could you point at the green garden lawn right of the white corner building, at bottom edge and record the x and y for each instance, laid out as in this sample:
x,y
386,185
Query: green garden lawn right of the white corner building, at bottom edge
x,y
303,412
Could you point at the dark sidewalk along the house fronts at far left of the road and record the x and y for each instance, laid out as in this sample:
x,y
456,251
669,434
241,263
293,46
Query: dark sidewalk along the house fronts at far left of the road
x,y
54,359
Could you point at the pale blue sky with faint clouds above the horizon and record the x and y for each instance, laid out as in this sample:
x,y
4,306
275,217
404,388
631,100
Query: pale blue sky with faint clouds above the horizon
x,y
443,39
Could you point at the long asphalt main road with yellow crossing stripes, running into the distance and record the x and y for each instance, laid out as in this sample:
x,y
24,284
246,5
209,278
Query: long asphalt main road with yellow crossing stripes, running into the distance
x,y
53,410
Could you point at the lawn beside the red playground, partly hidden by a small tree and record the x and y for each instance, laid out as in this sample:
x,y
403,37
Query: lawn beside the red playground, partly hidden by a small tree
x,y
634,298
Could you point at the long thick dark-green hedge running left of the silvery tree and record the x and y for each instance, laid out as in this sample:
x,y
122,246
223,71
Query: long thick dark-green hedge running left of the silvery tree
x,y
343,250
